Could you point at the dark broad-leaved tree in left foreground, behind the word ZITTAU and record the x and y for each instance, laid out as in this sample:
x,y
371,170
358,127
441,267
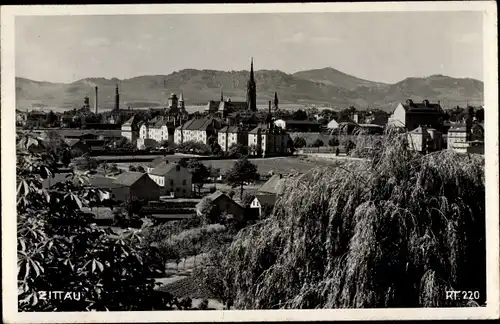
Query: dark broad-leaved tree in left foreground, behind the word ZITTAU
x,y
60,249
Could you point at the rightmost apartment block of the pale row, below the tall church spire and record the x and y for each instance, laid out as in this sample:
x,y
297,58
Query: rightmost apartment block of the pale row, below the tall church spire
x,y
268,139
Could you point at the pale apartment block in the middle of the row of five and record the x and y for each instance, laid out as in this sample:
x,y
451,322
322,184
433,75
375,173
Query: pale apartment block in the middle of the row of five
x,y
200,130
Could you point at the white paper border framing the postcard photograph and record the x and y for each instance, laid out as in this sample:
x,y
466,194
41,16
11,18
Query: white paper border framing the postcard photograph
x,y
9,280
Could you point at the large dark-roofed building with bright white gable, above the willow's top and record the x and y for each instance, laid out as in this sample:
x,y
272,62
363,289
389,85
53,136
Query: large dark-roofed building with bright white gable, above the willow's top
x,y
411,115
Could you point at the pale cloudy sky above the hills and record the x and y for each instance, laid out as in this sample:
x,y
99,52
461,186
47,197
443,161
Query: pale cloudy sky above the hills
x,y
377,46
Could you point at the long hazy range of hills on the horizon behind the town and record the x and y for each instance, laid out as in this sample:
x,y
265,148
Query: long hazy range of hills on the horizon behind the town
x,y
326,87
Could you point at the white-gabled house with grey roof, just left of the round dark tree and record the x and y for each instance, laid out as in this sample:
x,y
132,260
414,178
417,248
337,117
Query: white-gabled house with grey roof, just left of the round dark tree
x,y
174,179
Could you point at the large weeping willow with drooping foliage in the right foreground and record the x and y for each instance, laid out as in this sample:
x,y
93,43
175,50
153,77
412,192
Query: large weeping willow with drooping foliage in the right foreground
x,y
397,231
